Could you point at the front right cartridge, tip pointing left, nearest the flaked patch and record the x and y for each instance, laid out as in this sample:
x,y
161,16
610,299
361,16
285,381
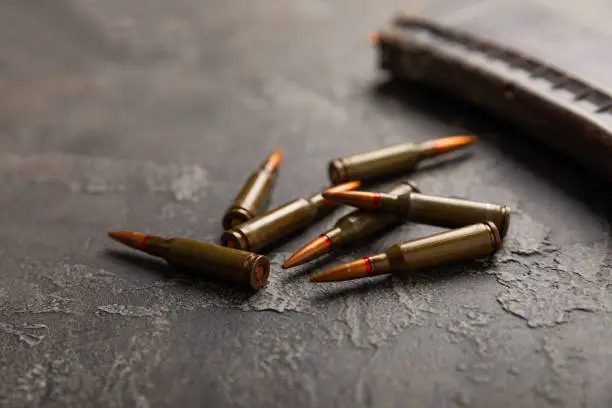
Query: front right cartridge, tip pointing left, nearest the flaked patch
x,y
471,242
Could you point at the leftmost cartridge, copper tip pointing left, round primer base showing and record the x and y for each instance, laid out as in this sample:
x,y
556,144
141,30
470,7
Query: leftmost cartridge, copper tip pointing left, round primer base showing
x,y
203,258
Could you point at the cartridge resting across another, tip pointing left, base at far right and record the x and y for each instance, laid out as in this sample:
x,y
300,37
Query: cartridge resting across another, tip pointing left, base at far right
x,y
426,209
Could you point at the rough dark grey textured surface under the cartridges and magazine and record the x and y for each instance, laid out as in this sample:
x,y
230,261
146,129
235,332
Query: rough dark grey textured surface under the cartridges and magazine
x,y
148,116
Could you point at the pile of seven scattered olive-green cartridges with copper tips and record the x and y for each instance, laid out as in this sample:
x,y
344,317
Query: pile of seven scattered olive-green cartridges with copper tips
x,y
474,229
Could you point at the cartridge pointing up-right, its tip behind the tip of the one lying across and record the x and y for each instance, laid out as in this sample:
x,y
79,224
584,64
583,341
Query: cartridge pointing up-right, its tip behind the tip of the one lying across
x,y
266,229
